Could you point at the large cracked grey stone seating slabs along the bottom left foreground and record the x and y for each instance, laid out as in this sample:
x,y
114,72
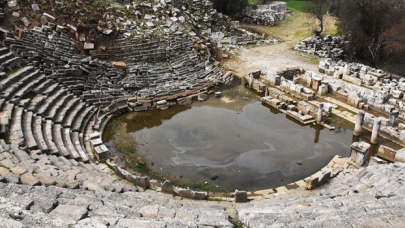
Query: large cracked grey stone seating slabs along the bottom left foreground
x,y
41,206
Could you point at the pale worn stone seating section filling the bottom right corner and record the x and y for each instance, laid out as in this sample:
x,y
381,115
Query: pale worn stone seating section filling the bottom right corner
x,y
370,197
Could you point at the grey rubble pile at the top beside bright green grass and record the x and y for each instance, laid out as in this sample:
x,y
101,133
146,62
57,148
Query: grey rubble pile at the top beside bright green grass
x,y
266,15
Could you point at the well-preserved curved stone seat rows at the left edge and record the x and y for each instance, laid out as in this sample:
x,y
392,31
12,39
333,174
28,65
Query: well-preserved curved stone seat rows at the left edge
x,y
51,103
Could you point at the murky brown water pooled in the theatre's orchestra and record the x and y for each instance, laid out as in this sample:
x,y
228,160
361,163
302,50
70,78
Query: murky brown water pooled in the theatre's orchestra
x,y
256,148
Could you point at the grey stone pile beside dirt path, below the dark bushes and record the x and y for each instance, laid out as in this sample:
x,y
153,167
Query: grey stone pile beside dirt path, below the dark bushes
x,y
327,47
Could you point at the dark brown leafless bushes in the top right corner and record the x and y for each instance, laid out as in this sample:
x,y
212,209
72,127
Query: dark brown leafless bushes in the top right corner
x,y
375,30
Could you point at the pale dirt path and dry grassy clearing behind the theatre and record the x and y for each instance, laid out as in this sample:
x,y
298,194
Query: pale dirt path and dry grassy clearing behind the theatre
x,y
271,58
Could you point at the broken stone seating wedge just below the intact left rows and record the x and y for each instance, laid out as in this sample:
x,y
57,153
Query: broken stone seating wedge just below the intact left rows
x,y
35,168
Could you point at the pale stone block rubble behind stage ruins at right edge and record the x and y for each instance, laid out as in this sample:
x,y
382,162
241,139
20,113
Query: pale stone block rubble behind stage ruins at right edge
x,y
366,87
